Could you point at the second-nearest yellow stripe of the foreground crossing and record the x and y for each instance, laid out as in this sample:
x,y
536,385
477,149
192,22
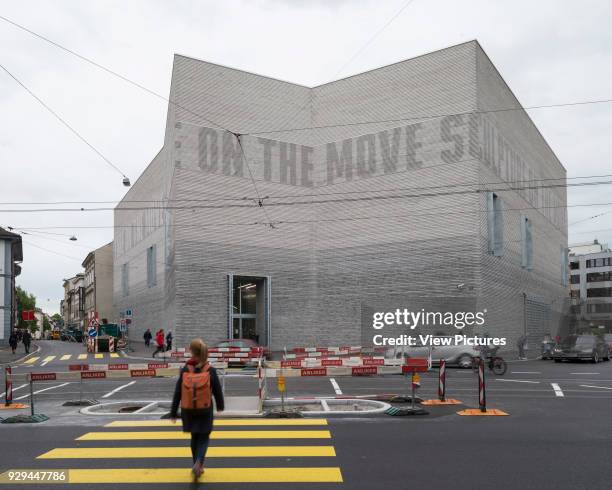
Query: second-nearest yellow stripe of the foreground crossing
x,y
185,452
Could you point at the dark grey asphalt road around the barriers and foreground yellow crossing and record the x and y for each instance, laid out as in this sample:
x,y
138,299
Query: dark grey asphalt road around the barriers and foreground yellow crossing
x,y
557,434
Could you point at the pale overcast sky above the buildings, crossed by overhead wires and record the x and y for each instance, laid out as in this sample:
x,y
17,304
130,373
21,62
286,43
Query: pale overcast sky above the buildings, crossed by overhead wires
x,y
549,52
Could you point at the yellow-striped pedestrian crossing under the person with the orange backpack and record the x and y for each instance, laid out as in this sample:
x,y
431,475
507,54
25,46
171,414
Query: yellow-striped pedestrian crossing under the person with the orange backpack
x,y
251,469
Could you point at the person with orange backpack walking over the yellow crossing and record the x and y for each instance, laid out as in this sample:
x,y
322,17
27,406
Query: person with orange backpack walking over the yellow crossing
x,y
198,383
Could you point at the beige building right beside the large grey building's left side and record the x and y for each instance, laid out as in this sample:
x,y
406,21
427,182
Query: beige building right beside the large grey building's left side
x,y
98,282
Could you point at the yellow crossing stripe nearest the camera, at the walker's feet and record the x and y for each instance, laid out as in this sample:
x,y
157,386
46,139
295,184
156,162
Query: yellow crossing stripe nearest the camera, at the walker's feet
x,y
211,475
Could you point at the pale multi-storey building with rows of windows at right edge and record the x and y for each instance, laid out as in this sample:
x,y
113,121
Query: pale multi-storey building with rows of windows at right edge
x,y
591,286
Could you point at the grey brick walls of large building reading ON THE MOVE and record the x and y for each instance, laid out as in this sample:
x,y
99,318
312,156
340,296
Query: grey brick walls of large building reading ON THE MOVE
x,y
376,186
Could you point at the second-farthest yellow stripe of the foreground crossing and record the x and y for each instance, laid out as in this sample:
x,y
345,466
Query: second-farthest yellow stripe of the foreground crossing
x,y
224,434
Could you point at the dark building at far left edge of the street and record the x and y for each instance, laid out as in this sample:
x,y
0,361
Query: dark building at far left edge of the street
x,y
11,255
